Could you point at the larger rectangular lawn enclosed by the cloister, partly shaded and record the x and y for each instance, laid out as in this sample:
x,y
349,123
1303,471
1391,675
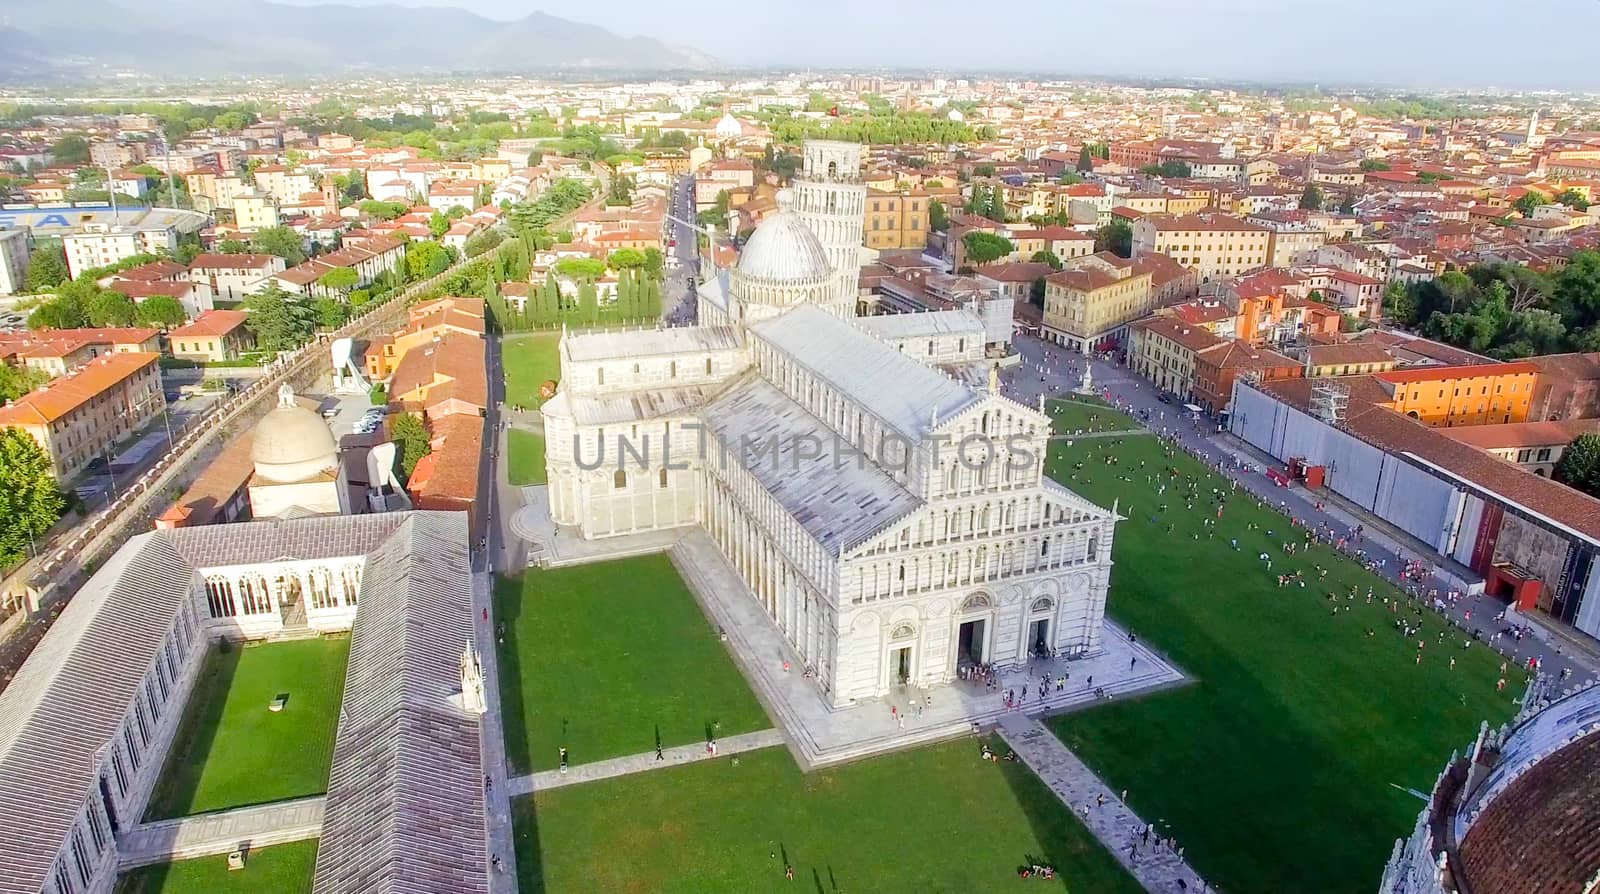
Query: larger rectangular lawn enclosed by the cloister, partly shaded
x,y
233,752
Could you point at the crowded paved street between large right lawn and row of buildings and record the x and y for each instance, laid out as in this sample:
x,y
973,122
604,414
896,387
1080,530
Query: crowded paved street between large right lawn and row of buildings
x,y
1049,369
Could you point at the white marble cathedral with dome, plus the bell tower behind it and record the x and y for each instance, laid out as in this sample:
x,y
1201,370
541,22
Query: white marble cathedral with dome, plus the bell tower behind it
x,y
894,521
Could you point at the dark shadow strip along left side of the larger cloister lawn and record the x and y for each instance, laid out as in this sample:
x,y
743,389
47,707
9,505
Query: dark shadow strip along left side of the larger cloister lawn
x,y
180,778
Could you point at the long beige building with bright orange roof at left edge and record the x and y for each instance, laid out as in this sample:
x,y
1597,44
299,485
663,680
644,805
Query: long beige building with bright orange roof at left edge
x,y
87,413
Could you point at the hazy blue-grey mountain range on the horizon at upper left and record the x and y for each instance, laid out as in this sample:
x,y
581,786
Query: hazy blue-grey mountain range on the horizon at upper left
x,y
188,38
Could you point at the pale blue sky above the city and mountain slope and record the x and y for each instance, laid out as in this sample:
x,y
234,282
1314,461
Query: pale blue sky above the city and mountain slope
x,y
1471,44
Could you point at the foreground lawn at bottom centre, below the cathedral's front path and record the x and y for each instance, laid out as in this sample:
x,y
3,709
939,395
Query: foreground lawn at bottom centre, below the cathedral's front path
x,y
930,820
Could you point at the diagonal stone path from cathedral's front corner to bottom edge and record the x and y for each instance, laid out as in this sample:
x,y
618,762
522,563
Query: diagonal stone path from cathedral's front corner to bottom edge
x,y
1114,824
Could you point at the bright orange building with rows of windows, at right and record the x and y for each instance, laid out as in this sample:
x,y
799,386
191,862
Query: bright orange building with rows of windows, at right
x,y
1487,394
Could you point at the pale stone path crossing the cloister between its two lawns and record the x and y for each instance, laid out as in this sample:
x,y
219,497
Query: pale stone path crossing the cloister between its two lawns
x,y
220,832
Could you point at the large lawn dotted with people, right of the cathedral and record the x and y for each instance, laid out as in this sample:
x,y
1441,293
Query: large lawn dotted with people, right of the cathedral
x,y
1276,768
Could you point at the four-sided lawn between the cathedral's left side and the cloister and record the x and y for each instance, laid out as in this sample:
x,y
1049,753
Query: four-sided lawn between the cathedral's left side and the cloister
x,y
604,658
